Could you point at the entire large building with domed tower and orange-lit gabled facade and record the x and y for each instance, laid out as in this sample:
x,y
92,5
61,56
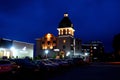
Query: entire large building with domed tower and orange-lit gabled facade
x,y
65,45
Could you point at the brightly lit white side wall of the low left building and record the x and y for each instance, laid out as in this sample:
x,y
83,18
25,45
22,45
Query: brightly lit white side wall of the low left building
x,y
22,49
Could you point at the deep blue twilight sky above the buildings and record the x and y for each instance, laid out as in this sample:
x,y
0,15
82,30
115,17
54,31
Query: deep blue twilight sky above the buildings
x,y
26,20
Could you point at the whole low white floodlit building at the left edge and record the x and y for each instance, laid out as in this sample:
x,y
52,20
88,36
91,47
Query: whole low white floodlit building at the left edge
x,y
15,49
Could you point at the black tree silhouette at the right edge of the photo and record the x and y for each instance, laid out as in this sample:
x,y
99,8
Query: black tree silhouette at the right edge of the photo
x,y
116,46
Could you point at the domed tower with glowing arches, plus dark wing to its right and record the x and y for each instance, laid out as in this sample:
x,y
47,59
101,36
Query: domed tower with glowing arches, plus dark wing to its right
x,y
67,43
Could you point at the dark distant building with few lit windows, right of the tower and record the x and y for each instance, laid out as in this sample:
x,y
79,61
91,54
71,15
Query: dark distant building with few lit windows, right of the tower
x,y
95,48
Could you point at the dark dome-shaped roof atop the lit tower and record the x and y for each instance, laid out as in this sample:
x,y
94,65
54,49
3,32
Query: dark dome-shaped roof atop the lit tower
x,y
65,22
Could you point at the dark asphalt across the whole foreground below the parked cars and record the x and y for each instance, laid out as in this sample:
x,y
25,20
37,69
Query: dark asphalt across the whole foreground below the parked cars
x,y
94,71
